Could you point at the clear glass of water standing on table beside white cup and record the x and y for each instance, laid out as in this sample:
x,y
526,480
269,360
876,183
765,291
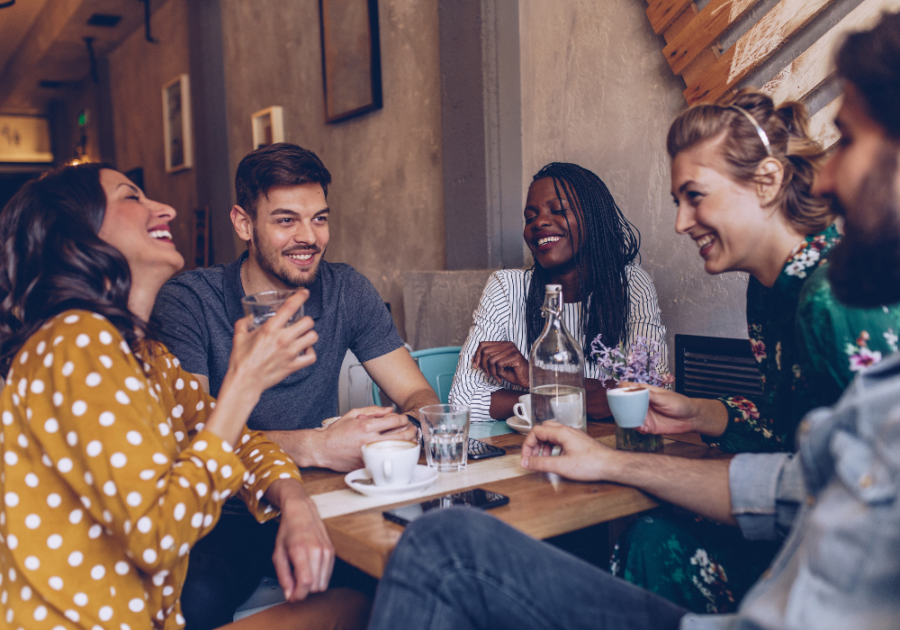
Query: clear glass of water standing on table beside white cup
x,y
445,431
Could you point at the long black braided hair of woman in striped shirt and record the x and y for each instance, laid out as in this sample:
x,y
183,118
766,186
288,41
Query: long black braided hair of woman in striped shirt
x,y
608,242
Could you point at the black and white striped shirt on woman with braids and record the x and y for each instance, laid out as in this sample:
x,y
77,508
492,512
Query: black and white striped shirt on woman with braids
x,y
501,317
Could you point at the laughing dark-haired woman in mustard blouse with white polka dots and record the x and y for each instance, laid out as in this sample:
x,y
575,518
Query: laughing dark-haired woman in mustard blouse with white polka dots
x,y
115,462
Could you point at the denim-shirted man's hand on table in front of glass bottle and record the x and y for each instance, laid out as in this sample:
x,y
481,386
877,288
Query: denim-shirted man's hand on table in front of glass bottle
x,y
581,457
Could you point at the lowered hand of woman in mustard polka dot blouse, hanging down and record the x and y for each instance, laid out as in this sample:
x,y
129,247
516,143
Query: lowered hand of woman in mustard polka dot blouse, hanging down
x,y
304,555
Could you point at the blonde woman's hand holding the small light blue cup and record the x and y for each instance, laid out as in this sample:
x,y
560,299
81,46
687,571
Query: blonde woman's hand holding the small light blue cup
x,y
671,412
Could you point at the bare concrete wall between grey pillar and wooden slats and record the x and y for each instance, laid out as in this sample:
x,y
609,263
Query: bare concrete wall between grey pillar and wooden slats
x,y
597,91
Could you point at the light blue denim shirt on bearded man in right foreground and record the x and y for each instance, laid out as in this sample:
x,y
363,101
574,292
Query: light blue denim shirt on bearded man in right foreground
x,y
836,500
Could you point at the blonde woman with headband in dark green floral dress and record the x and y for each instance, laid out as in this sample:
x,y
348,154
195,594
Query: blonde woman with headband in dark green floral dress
x,y
742,179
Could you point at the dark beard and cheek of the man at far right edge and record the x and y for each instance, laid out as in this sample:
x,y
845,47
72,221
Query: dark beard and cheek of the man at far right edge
x,y
864,268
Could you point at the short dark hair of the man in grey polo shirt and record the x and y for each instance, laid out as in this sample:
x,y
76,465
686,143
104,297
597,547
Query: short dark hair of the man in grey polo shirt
x,y
279,164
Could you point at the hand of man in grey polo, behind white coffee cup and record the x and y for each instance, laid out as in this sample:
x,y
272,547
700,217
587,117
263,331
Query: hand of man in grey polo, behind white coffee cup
x,y
340,445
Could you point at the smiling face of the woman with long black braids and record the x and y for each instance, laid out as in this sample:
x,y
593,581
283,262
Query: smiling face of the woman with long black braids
x,y
552,240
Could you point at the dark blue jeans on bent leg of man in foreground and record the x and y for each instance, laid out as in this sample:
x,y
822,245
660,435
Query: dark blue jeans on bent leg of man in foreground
x,y
460,568
